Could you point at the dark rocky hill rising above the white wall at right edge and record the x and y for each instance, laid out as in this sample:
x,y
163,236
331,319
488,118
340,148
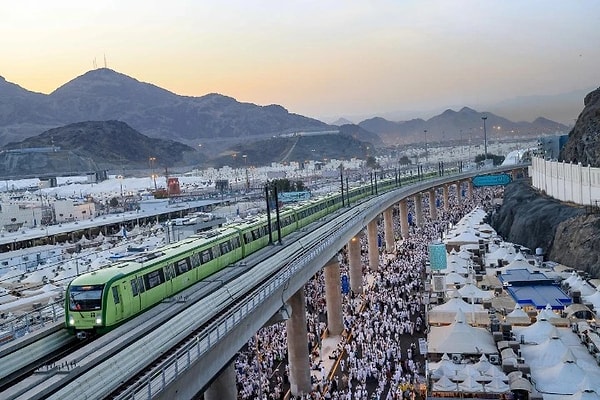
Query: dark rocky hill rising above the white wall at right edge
x,y
583,145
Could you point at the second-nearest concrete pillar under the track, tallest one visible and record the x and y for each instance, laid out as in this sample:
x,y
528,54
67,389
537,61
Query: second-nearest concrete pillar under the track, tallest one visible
x,y
298,356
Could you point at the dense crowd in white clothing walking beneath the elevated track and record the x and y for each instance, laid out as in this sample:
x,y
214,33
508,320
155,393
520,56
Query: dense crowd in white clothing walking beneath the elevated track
x,y
378,355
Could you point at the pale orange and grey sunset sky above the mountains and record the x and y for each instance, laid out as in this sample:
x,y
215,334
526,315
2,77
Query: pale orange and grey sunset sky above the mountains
x,y
323,59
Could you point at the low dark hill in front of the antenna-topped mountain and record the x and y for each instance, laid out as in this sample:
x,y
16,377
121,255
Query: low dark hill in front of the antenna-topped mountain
x,y
108,144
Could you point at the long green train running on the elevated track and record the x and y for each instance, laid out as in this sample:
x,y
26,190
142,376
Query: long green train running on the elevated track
x,y
98,301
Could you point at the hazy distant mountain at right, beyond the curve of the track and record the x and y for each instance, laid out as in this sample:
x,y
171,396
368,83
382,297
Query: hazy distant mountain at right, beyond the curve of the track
x,y
462,125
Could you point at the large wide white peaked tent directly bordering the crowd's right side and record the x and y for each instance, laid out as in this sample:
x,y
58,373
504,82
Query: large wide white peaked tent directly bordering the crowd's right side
x,y
460,337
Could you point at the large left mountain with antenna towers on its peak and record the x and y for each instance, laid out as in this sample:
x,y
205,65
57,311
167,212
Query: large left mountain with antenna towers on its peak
x,y
103,94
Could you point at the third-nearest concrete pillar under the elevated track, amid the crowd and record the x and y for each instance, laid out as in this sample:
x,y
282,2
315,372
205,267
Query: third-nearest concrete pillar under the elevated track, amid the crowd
x,y
333,297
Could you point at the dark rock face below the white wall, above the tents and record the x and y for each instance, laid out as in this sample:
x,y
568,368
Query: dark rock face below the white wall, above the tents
x,y
568,234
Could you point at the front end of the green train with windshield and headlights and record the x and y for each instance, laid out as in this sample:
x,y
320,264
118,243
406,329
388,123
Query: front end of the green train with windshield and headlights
x,y
84,314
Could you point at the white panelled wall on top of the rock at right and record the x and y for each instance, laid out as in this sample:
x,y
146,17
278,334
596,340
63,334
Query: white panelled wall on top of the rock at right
x,y
566,182
